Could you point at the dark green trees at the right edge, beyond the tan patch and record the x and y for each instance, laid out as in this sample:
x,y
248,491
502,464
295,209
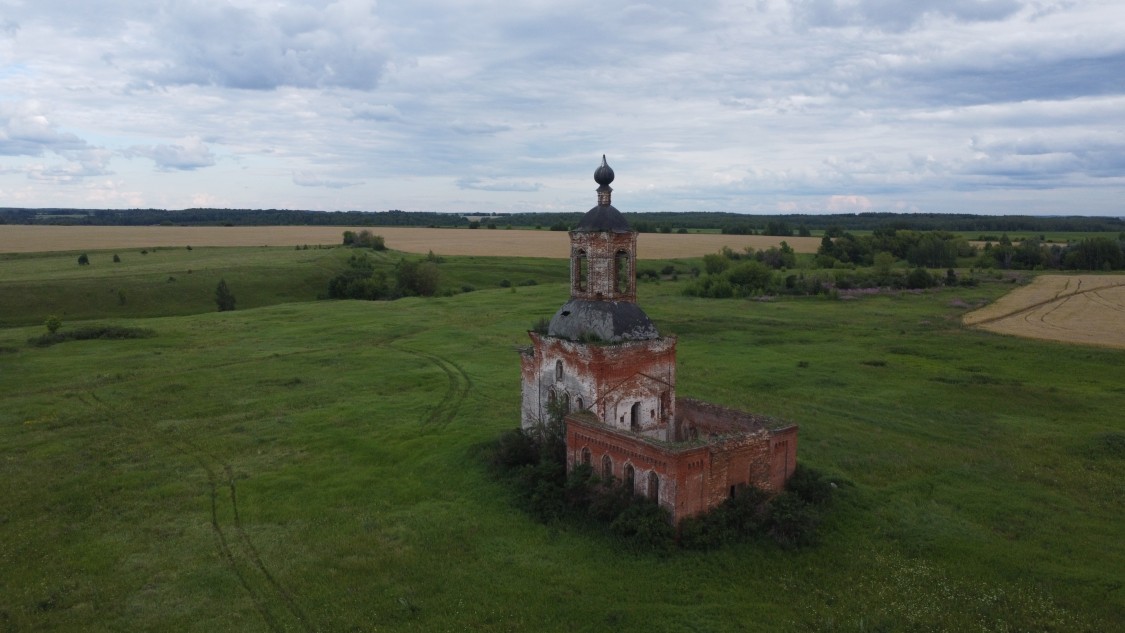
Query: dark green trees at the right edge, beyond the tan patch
x,y
1093,254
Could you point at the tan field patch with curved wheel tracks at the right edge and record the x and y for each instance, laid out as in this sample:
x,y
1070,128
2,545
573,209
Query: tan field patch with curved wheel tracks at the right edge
x,y
1084,309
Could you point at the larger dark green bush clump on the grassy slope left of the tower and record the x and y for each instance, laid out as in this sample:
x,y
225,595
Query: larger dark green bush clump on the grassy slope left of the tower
x,y
363,281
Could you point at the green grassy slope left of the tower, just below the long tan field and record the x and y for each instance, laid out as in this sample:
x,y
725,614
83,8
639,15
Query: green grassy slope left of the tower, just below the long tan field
x,y
178,282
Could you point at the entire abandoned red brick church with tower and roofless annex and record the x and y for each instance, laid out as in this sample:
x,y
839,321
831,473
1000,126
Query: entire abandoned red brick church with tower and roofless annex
x,y
604,363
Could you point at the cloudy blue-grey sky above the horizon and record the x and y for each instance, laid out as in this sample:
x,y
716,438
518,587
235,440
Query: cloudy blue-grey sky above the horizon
x,y
750,106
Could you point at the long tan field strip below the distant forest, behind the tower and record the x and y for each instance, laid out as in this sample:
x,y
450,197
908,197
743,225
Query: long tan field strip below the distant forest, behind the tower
x,y
32,239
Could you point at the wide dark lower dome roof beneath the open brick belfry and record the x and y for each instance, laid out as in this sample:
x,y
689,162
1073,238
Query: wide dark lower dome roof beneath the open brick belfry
x,y
613,322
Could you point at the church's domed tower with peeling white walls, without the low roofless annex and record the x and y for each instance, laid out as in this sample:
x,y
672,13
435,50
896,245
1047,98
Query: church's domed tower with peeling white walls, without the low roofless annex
x,y
601,354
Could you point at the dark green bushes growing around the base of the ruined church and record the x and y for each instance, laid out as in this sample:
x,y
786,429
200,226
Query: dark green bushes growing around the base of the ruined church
x,y
535,463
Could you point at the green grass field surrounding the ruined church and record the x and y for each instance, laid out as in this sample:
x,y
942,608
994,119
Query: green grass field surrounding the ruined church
x,y
316,466
